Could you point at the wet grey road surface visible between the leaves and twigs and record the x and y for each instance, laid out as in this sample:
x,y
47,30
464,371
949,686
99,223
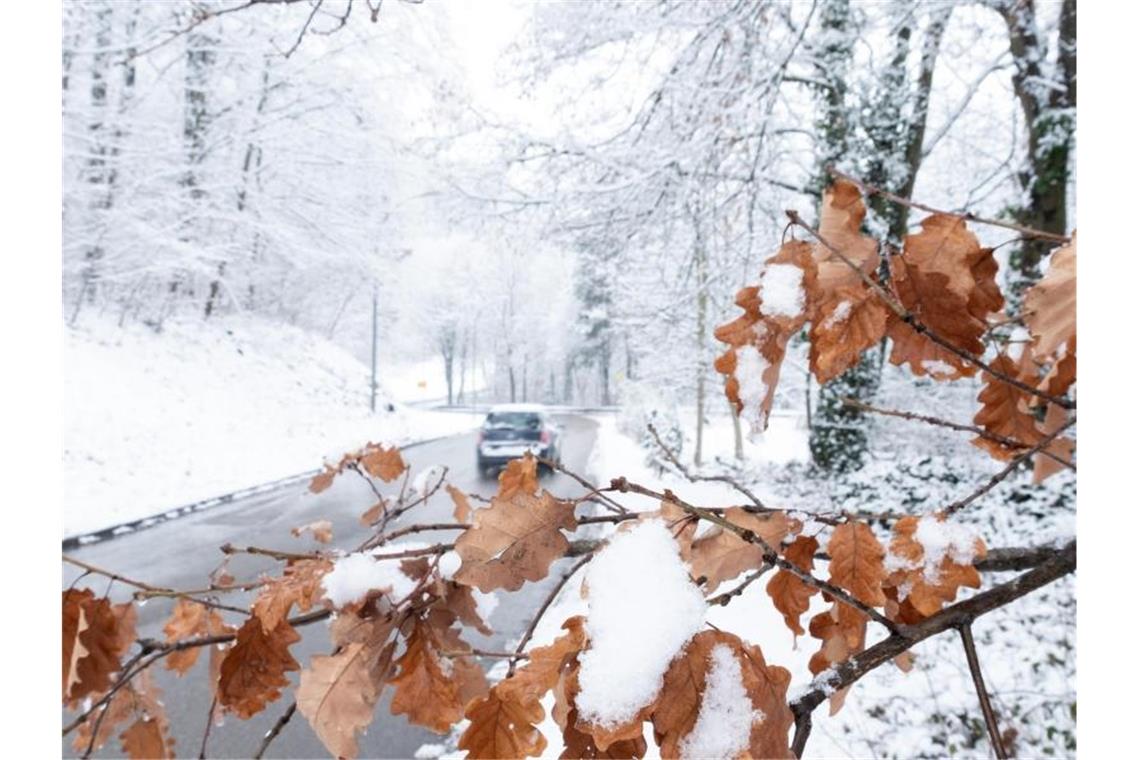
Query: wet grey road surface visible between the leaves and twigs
x,y
182,554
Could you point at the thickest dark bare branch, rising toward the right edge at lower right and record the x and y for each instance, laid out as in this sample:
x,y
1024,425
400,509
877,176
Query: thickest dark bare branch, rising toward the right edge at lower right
x,y
848,673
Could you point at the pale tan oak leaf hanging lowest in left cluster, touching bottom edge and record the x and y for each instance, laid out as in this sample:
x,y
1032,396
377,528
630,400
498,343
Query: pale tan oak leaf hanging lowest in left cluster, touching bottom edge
x,y
339,697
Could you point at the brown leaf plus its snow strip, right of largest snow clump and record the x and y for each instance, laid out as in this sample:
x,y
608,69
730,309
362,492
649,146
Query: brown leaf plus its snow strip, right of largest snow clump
x,y
722,700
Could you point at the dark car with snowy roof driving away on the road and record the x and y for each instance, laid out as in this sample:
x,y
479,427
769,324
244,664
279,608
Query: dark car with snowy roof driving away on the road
x,y
511,430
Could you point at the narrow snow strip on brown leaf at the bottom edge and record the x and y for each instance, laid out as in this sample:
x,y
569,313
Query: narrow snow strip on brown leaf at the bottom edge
x,y
726,721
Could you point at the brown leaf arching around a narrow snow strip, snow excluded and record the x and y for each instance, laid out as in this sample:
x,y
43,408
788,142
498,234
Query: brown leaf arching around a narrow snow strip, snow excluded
x,y
686,685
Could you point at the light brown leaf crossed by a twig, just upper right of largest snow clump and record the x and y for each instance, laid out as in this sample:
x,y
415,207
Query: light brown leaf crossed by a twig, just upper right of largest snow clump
x,y
721,555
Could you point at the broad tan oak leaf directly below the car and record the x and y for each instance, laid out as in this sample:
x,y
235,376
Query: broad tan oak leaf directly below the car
x,y
514,541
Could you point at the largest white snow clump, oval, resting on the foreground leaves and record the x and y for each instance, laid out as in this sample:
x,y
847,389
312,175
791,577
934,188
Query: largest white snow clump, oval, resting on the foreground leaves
x,y
644,609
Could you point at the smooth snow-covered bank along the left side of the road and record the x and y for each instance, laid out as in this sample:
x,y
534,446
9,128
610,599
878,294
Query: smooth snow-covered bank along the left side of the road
x,y
159,421
